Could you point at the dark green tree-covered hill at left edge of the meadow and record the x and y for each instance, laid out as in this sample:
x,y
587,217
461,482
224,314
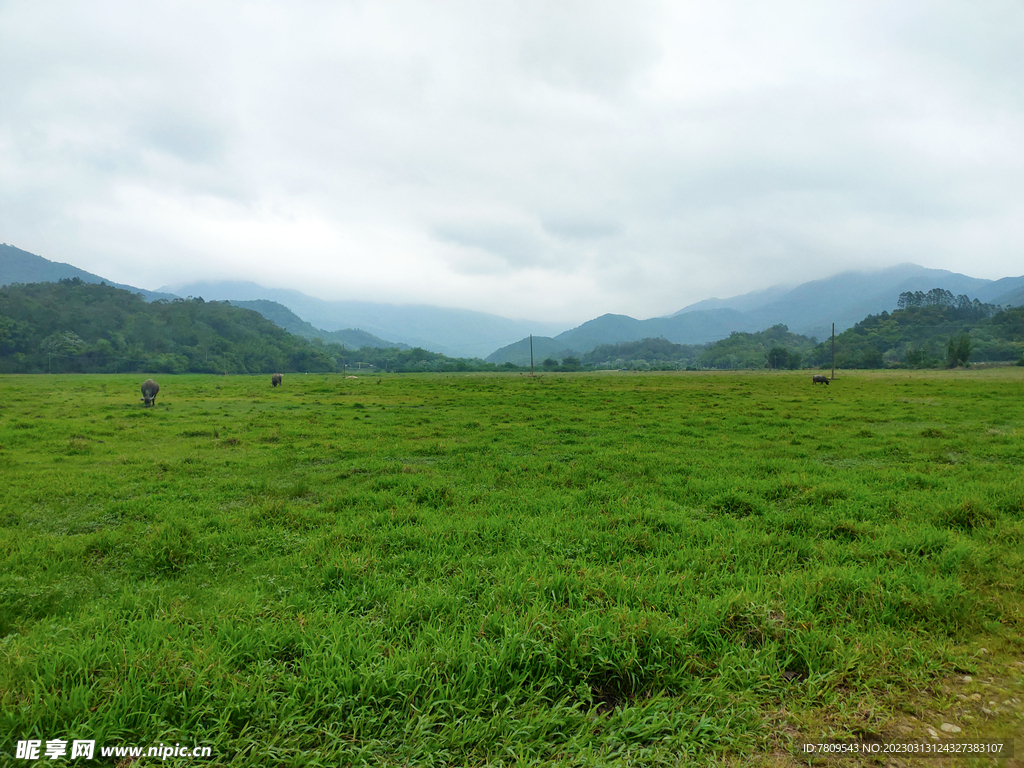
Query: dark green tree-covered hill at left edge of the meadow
x,y
72,326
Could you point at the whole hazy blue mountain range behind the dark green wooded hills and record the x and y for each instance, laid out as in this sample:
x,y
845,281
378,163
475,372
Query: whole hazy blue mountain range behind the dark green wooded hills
x,y
809,309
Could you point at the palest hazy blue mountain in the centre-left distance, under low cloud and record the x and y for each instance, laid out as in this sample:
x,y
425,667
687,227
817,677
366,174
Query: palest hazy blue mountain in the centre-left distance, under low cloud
x,y
460,333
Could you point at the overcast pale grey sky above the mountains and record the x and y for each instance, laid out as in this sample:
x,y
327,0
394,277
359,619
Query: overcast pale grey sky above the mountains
x,y
545,160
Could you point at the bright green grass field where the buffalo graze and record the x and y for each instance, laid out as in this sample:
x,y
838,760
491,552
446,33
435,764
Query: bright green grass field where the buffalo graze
x,y
475,570
